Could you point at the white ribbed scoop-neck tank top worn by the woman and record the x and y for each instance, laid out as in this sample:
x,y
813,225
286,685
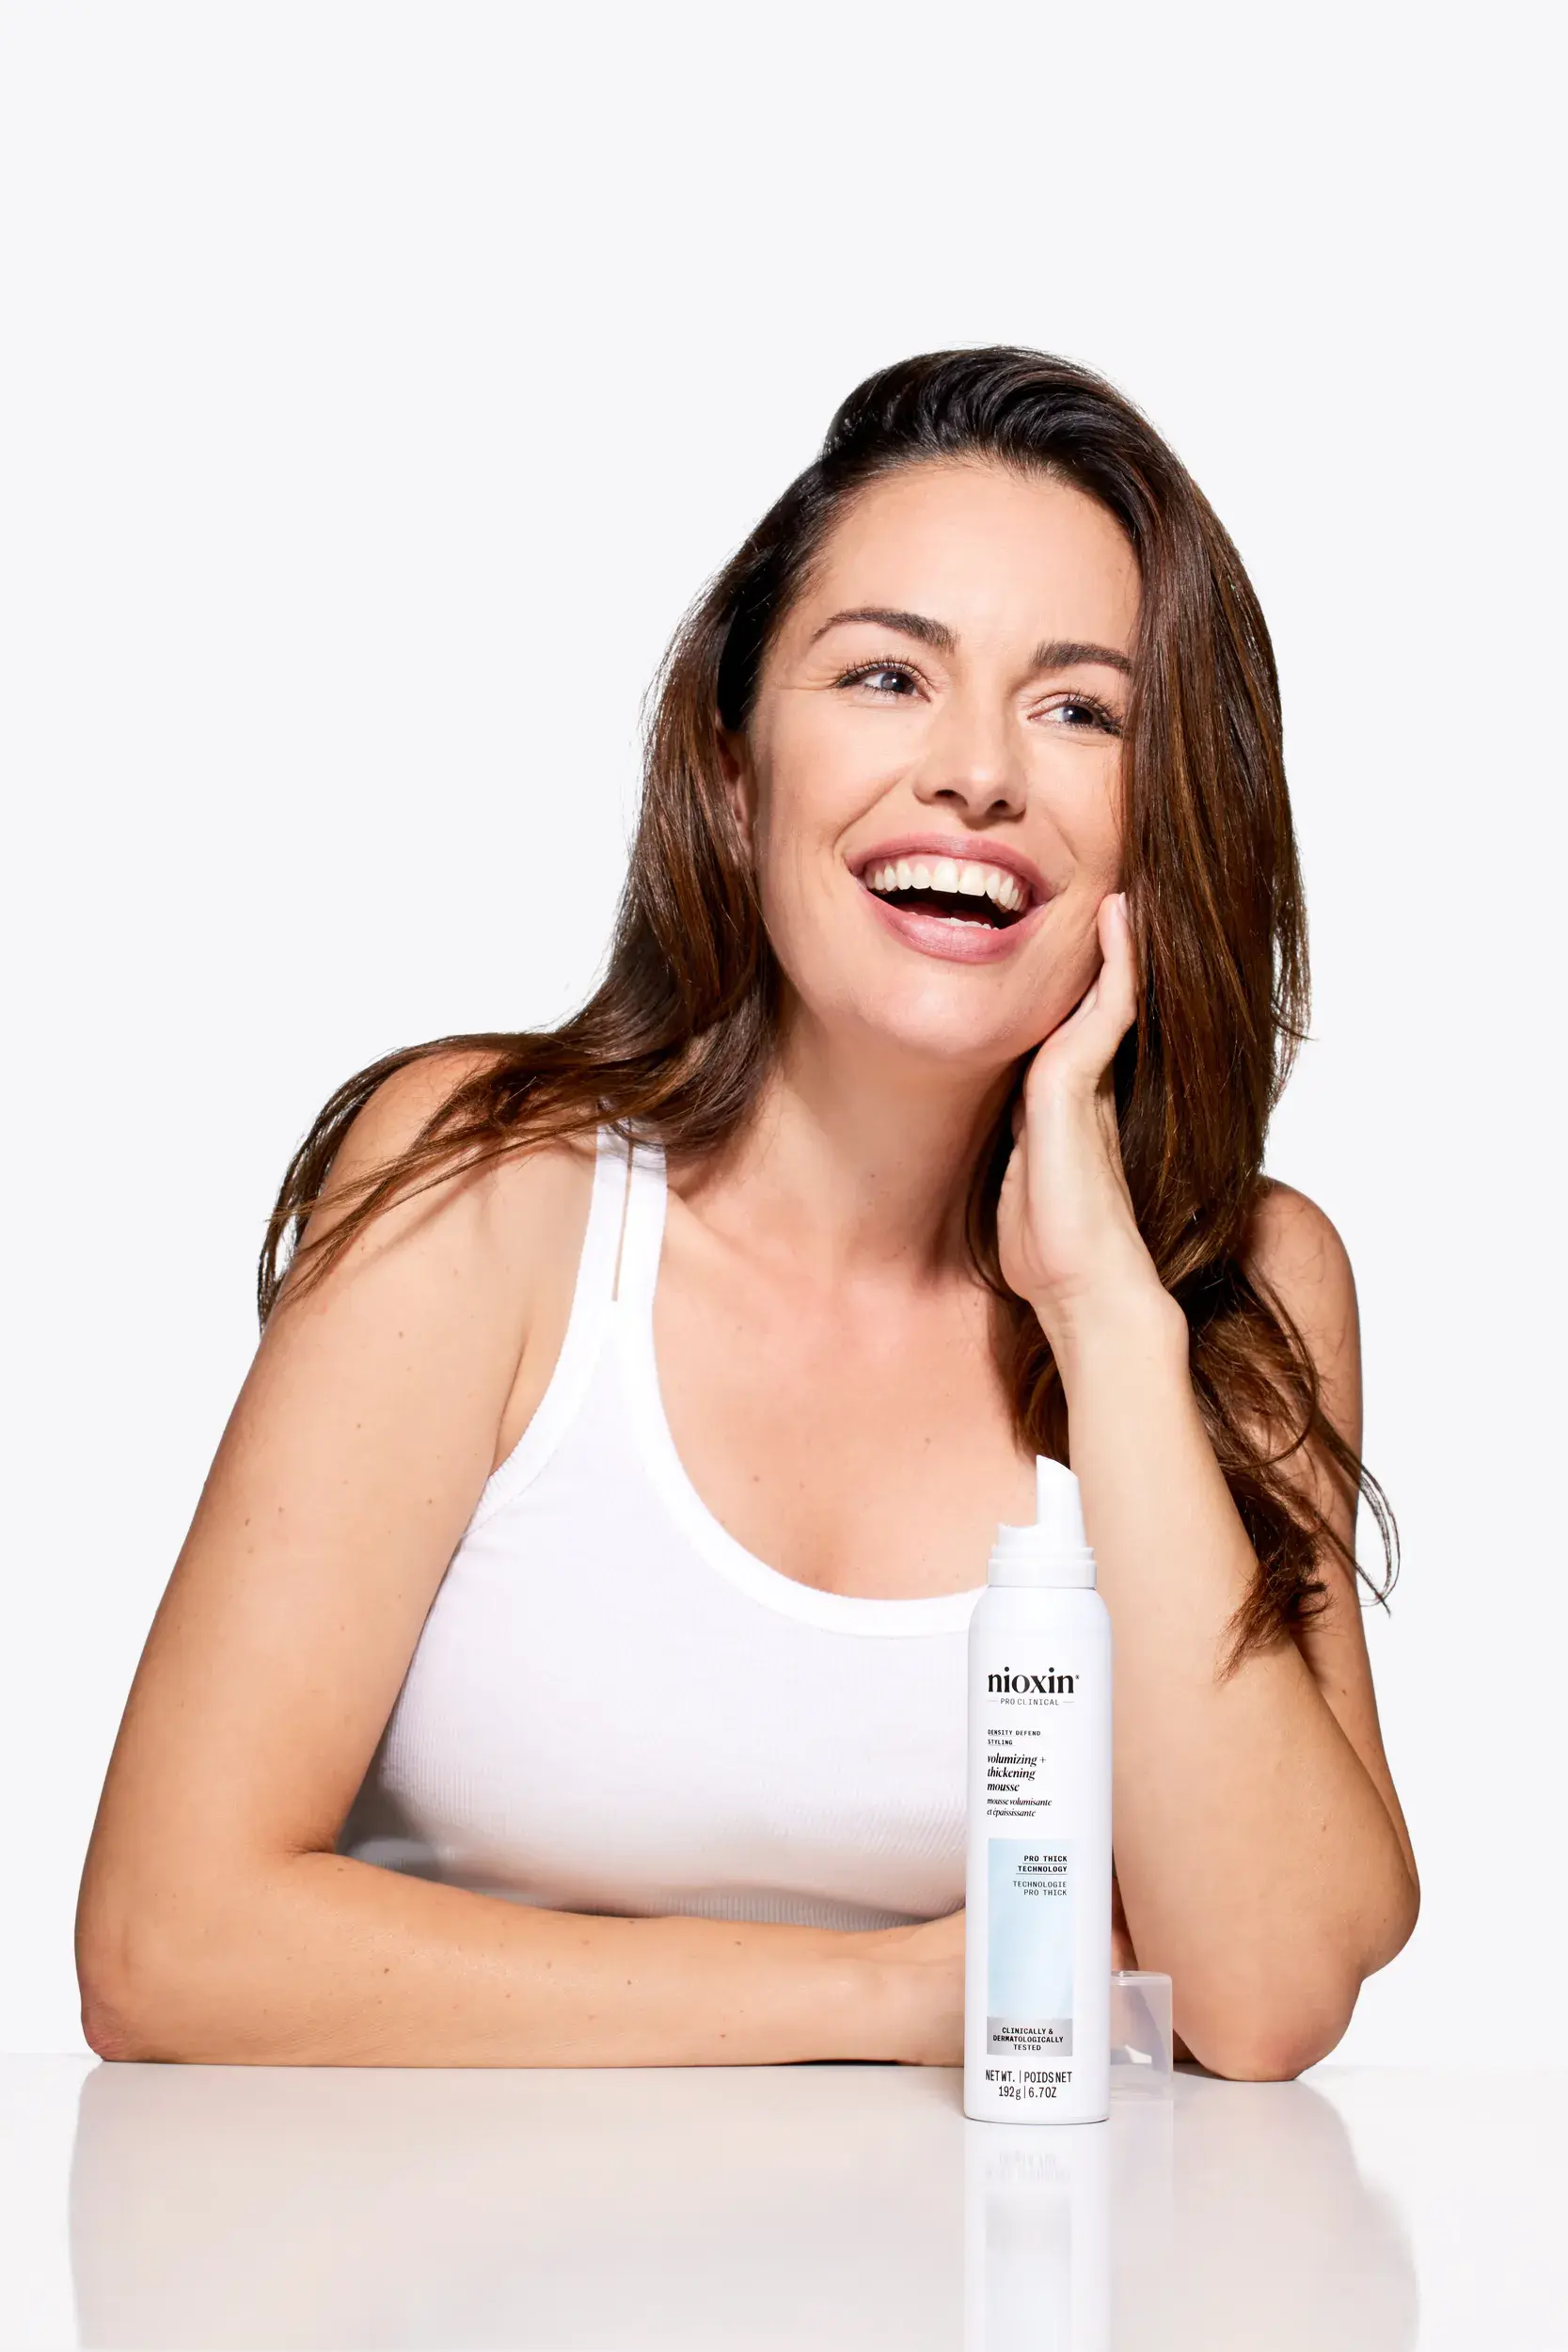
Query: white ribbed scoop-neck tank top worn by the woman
x,y
617,1709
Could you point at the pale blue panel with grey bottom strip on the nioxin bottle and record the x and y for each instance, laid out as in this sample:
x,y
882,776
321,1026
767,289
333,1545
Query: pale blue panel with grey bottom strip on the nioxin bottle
x,y
1028,1996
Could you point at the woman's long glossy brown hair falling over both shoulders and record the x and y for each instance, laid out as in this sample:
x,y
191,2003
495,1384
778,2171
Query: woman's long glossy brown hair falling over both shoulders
x,y
676,1041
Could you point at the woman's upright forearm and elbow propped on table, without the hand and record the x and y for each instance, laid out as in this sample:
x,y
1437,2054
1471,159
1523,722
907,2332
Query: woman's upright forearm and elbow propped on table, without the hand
x,y
1257,1859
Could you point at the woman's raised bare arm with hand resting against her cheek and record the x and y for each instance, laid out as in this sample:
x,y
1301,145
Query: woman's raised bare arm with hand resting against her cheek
x,y
1261,1852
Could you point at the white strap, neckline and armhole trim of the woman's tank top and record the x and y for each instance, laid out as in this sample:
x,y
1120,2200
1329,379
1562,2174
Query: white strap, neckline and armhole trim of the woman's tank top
x,y
615,1309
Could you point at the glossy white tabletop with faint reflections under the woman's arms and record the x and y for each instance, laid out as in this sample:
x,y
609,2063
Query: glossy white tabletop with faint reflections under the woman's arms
x,y
775,2207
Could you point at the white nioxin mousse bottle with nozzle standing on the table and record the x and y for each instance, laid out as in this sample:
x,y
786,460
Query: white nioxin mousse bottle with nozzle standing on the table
x,y
1038,1899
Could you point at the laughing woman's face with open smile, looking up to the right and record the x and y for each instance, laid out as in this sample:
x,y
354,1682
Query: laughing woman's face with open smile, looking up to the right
x,y
932,768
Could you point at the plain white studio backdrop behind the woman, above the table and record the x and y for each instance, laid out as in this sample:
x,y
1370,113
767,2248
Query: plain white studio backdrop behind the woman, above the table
x,y
384,380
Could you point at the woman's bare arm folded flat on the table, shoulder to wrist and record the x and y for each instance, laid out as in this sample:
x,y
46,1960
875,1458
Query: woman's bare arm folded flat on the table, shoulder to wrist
x,y
217,1923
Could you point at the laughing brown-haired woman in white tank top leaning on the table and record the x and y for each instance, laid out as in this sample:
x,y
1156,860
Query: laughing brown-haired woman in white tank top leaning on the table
x,y
568,1655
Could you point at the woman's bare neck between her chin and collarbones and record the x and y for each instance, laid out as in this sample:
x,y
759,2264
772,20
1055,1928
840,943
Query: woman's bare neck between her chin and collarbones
x,y
855,1161
